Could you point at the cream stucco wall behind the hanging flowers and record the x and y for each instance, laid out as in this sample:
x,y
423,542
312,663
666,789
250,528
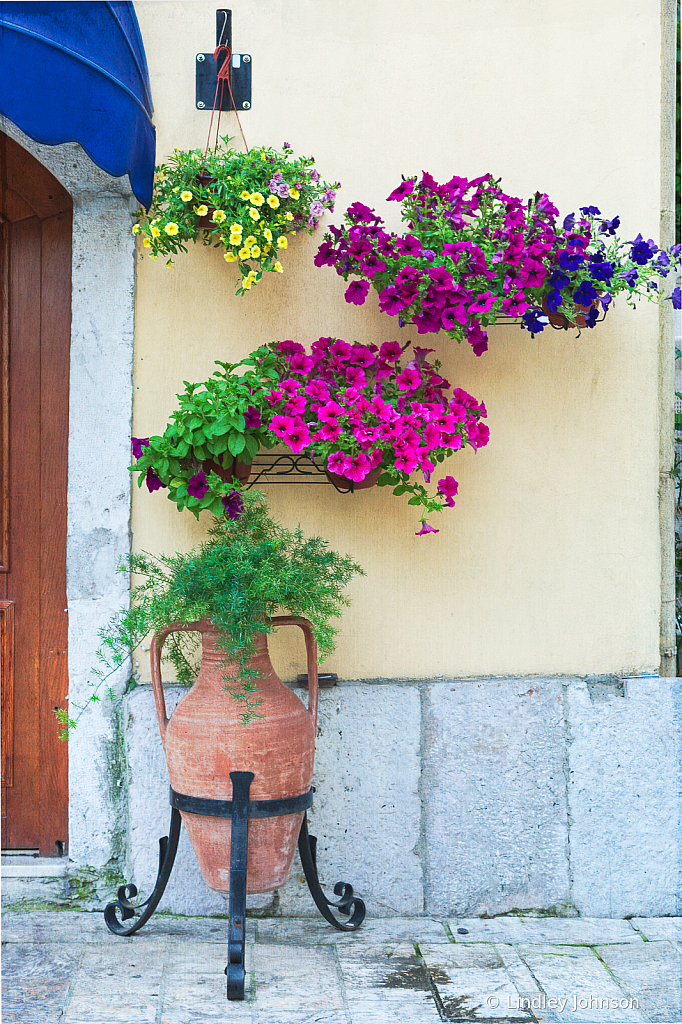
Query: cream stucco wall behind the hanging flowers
x,y
550,562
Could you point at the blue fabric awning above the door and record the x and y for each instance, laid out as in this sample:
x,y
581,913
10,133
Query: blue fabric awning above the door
x,y
77,73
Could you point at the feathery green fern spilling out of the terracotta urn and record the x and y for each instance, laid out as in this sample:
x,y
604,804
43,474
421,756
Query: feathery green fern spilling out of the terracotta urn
x,y
249,570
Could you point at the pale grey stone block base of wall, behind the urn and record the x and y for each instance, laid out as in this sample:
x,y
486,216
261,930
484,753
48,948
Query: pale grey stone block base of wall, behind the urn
x,y
464,797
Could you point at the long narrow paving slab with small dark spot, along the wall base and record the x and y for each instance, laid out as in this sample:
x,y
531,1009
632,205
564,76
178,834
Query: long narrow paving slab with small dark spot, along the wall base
x,y
572,931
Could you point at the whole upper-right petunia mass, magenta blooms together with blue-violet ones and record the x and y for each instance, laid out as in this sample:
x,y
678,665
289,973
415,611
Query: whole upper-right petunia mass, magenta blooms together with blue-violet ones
x,y
474,253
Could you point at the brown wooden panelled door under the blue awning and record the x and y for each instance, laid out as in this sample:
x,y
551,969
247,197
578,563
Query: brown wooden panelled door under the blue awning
x,y
36,232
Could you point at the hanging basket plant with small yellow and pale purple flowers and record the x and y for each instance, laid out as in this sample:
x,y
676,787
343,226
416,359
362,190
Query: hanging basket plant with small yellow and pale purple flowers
x,y
246,203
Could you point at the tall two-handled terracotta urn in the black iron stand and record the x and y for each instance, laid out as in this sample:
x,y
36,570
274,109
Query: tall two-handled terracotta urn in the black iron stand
x,y
204,741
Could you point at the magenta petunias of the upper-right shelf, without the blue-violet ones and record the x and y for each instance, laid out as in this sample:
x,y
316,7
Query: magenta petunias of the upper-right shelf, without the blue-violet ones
x,y
472,253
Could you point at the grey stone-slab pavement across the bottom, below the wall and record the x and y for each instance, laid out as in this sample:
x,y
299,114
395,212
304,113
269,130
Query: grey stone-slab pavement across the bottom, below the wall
x,y
68,968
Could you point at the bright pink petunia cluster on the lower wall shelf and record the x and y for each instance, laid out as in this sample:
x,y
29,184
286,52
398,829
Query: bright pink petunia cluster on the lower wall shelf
x,y
362,411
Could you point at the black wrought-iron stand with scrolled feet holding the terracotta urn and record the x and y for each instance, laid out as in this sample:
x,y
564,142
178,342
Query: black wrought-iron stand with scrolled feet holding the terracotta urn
x,y
240,809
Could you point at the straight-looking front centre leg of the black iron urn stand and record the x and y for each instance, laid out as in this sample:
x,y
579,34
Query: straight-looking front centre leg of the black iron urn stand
x,y
239,851
